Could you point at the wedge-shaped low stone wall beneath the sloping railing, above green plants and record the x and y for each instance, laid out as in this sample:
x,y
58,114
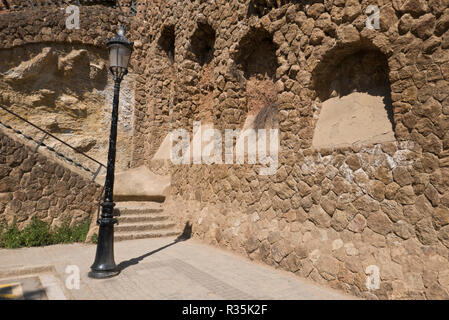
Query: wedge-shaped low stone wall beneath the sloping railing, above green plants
x,y
33,185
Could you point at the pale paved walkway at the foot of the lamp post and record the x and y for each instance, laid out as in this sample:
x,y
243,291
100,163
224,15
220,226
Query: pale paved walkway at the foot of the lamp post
x,y
158,269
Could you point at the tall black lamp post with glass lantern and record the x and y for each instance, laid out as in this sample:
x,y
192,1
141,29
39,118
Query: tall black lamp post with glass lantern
x,y
104,265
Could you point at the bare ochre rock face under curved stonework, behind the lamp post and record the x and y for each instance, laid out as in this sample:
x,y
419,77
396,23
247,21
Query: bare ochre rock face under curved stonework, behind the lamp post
x,y
64,89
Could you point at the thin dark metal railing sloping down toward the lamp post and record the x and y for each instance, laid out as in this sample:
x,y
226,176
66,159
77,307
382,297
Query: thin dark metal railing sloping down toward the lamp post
x,y
41,143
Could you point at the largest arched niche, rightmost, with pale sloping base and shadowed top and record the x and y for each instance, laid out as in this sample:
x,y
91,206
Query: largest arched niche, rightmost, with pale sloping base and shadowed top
x,y
356,101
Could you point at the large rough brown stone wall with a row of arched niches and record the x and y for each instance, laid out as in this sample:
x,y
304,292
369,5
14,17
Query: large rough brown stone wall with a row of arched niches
x,y
337,215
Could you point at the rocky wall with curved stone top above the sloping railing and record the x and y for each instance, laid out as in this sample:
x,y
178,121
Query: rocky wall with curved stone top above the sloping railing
x,y
57,78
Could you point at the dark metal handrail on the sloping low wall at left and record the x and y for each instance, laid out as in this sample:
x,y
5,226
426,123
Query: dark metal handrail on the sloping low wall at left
x,y
40,143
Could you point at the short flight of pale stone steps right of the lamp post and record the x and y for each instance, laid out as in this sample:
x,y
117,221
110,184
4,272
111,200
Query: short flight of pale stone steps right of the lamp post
x,y
142,219
